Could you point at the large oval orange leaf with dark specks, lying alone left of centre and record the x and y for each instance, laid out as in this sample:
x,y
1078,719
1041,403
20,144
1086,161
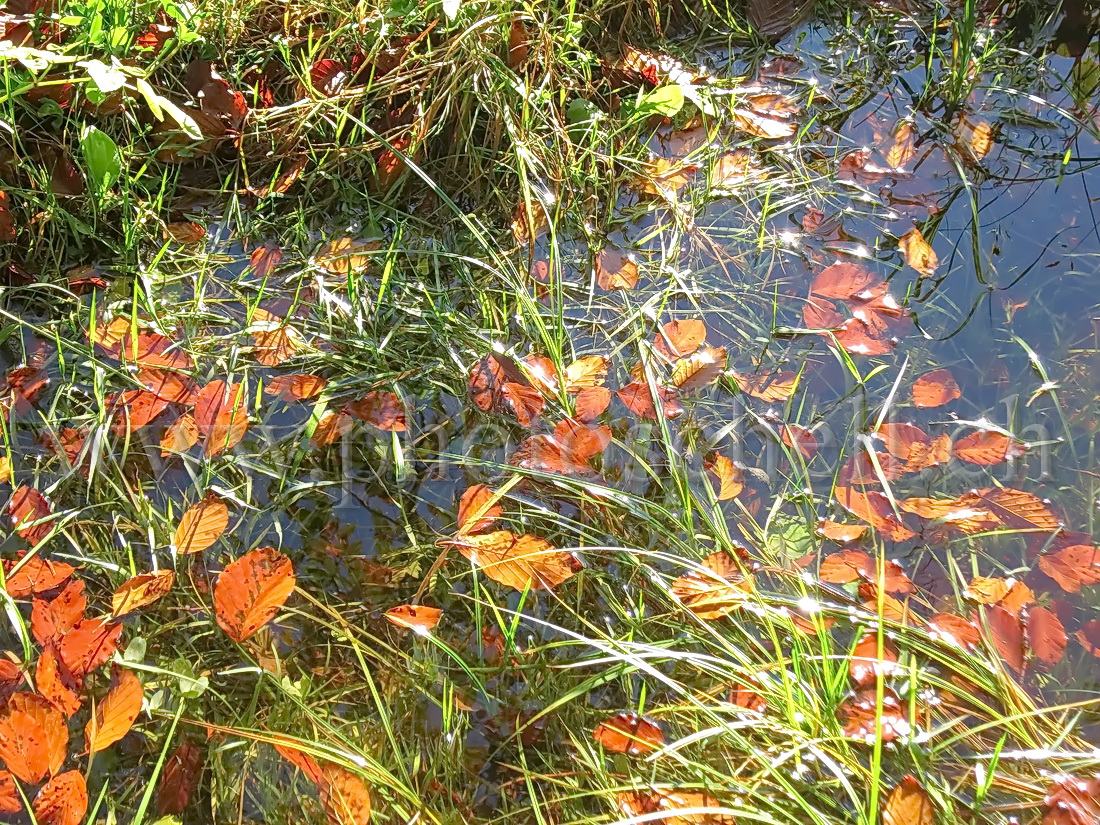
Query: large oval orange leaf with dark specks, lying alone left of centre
x,y
251,591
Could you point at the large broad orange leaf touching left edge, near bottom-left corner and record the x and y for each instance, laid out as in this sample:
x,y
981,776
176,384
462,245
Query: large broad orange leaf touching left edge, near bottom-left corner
x,y
34,738
